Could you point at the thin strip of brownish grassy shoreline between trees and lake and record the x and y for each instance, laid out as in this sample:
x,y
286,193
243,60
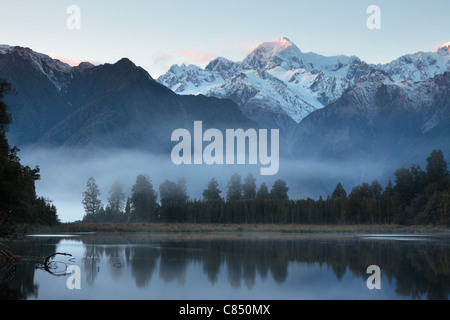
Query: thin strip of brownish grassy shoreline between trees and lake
x,y
233,228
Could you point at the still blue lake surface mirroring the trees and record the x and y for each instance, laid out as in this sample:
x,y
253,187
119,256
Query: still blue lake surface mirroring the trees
x,y
265,267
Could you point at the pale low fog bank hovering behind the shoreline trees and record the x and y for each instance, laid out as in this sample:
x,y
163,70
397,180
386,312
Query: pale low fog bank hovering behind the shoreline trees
x,y
64,174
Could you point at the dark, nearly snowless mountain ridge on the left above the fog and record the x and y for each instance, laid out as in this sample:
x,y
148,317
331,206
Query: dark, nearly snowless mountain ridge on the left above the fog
x,y
111,105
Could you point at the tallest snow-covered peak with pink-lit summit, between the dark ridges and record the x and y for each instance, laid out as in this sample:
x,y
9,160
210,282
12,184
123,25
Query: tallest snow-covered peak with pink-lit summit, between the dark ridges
x,y
276,84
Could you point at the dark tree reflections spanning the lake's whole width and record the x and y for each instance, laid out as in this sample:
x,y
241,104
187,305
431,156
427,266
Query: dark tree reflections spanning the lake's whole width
x,y
417,271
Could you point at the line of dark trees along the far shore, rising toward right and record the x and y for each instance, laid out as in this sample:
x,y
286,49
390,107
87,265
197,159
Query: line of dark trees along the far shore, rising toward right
x,y
417,197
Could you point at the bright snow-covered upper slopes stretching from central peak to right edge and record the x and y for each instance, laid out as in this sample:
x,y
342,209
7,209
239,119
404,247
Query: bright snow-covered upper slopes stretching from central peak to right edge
x,y
279,78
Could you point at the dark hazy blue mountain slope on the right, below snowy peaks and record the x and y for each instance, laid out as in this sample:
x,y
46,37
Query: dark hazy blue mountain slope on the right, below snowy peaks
x,y
380,120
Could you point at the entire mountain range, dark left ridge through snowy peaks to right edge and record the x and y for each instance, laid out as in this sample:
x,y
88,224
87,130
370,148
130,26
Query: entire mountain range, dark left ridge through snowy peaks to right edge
x,y
330,110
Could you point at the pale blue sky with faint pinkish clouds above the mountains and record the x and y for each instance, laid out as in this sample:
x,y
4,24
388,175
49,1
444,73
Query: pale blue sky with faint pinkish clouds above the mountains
x,y
156,34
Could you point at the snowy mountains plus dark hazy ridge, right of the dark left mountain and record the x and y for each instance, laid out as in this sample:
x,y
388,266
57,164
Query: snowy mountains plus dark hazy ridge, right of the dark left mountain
x,y
334,109
